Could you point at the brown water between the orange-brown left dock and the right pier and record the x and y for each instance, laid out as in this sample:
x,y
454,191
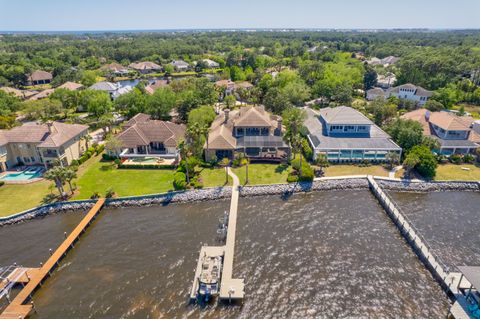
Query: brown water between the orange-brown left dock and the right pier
x,y
320,255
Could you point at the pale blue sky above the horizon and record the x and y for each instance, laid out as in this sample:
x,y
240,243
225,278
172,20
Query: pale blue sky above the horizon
x,y
55,15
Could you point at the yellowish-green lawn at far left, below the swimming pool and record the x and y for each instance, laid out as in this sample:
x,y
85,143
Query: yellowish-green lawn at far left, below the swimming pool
x,y
15,198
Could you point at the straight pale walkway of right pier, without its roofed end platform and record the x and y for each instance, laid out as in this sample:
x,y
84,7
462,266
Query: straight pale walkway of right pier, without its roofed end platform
x,y
411,233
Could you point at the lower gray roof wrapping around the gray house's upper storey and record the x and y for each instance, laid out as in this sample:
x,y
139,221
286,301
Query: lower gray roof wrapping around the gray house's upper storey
x,y
376,140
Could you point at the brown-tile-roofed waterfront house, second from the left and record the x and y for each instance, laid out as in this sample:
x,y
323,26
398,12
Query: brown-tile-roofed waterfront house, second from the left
x,y
144,137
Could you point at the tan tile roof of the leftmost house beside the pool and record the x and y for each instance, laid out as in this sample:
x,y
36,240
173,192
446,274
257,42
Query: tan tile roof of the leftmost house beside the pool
x,y
40,133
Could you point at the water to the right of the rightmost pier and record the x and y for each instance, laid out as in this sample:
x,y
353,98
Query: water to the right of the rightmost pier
x,y
449,222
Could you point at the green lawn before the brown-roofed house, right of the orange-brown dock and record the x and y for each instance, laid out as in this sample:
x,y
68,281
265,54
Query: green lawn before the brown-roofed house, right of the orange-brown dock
x,y
97,176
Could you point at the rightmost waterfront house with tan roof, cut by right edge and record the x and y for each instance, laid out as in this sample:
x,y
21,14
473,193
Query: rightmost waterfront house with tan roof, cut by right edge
x,y
455,133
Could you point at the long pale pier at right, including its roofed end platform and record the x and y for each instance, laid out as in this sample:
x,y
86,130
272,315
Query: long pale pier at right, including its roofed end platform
x,y
450,281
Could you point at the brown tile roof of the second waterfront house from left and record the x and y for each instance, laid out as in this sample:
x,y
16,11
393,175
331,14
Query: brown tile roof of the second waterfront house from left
x,y
141,130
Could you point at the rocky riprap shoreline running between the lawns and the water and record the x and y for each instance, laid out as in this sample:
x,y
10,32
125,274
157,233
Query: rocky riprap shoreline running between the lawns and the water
x,y
216,193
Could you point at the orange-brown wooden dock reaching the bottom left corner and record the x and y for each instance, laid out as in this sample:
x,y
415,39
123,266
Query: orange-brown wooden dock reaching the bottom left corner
x,y
17,308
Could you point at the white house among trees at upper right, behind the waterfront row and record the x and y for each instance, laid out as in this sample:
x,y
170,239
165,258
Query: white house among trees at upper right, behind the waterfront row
x,y
407,91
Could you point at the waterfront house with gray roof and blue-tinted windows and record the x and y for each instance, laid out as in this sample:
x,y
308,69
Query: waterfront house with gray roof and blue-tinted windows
x,y
345,135
